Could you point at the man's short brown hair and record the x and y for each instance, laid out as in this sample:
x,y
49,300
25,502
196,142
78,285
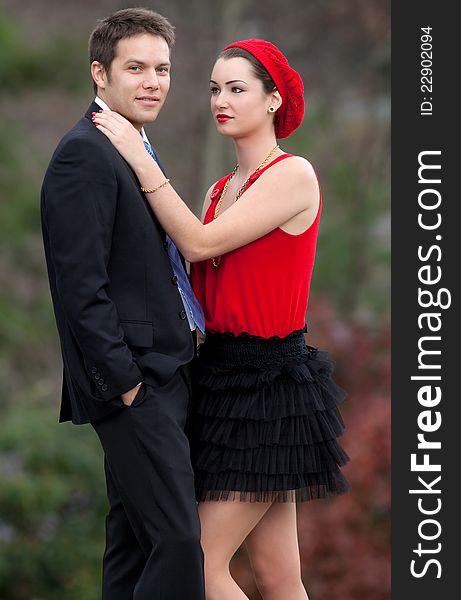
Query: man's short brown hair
x,y
122,24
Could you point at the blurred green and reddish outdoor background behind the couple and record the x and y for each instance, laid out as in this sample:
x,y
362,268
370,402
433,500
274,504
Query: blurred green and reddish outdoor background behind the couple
x,y
52,492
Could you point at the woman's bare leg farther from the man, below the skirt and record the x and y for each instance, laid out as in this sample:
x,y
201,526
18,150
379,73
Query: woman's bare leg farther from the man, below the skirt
x,y
274,554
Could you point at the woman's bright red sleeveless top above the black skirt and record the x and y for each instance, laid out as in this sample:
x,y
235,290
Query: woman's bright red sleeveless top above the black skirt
x,y
261,288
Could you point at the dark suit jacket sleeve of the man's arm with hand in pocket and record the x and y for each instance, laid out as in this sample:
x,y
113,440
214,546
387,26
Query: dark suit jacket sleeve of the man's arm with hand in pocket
x,y
80,203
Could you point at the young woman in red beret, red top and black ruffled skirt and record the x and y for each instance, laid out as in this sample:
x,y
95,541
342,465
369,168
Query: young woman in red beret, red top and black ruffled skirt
x,y
265,420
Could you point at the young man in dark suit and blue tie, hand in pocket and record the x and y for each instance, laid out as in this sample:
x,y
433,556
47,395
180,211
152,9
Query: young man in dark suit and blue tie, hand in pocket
x,y
124,316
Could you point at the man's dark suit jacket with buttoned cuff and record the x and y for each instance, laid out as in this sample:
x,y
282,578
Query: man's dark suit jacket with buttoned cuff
x,y
118,311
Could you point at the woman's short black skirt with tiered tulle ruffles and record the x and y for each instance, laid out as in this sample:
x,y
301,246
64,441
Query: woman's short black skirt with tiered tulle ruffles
x,y
265,421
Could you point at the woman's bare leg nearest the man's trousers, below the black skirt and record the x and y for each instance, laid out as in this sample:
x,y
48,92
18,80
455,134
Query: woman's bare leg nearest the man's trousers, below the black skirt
x,y
225,525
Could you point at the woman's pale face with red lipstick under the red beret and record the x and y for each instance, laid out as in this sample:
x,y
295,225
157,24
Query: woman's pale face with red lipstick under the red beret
x,y
239,104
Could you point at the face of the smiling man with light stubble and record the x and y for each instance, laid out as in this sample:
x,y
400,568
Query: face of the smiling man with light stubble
x,y
139,78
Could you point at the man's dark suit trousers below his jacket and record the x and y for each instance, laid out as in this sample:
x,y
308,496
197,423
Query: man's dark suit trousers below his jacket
x,y
152,544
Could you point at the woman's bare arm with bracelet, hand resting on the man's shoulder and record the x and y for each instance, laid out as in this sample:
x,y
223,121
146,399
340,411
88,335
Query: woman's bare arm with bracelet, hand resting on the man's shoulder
x,y
287,189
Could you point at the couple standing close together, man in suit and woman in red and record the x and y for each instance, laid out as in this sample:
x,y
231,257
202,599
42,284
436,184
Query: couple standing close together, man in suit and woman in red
x,y
263,419
